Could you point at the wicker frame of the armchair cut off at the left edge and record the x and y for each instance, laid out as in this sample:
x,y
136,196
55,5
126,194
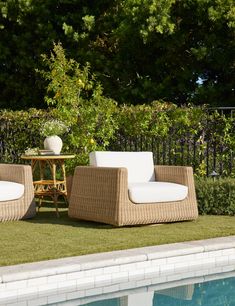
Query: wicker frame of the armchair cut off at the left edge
x,y
24,207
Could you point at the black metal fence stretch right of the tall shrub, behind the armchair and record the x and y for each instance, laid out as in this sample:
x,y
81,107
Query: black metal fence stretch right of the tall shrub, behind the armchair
x,y
205,152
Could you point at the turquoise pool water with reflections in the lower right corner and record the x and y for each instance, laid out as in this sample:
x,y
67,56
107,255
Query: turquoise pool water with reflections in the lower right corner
x,y
213,293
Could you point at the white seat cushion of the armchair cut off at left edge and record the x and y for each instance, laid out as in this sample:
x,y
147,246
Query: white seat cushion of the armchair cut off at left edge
x,y
10,191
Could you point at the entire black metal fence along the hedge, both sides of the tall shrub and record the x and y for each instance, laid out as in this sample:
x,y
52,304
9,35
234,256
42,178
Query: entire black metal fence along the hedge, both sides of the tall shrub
x,y
206,150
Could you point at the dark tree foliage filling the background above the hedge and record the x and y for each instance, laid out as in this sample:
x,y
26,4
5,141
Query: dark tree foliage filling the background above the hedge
x,y
174,50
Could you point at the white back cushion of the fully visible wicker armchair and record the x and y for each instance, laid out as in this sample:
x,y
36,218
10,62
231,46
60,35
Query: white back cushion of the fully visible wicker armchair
x,y
139,165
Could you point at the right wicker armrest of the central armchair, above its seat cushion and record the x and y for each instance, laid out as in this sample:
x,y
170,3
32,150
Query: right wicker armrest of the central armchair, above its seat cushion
x,y
174,174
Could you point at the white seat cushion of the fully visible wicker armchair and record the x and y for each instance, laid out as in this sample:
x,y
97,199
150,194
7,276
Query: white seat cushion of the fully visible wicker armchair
x,y
154,192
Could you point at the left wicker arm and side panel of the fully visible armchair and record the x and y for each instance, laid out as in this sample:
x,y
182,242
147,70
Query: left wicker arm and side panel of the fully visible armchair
x,y
101,191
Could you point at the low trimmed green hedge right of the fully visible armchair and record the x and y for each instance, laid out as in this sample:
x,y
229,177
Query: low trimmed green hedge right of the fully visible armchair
x,y
216,197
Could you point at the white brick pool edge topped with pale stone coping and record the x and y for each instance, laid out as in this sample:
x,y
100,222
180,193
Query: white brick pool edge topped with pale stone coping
x,y
91,273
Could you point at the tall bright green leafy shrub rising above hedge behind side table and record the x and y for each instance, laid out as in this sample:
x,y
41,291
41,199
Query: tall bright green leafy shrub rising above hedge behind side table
x,y
77,99
